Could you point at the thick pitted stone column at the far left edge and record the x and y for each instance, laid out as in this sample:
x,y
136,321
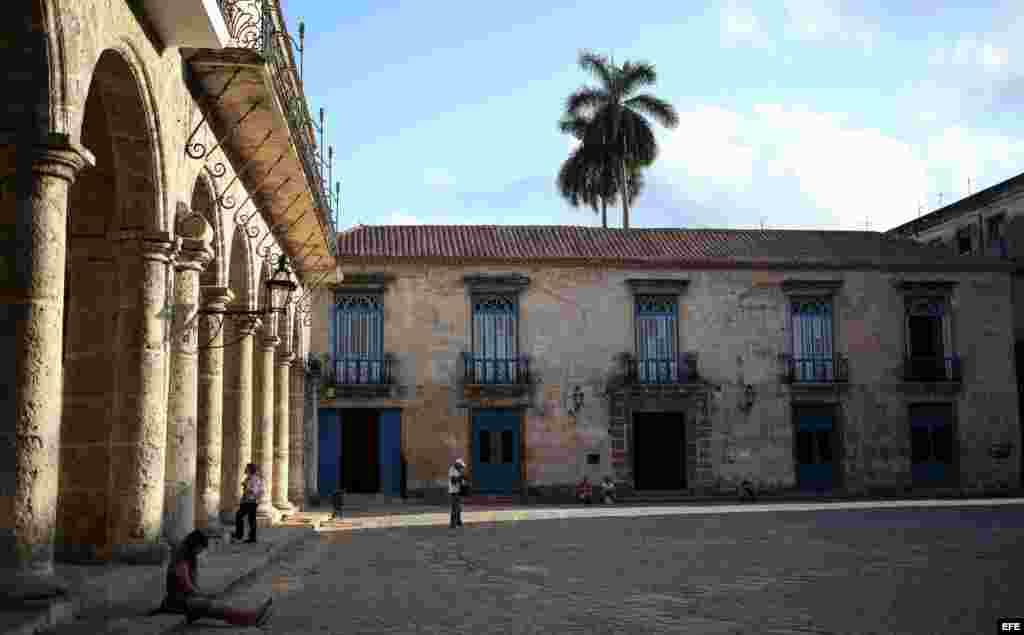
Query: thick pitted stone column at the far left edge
x,y
32,309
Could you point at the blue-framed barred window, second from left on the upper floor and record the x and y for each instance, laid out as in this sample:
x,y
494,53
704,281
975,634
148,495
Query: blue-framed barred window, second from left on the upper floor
x,y
494,358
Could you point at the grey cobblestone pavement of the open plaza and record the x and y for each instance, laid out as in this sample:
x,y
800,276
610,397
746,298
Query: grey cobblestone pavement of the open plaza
x,y
888,571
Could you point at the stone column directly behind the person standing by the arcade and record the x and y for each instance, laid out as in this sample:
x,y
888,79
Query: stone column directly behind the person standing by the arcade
x,y
238,434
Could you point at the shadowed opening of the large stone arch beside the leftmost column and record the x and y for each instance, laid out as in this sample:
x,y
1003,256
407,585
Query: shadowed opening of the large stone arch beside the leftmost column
x,y
108,208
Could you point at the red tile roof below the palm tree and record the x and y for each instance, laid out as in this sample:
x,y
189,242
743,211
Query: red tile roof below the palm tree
x,y
648,247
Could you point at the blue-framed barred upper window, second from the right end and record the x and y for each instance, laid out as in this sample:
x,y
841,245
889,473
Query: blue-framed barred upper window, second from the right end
x,y
814,358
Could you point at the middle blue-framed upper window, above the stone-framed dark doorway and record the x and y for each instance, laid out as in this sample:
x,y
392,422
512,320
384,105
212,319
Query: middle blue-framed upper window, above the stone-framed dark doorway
x,y
657,334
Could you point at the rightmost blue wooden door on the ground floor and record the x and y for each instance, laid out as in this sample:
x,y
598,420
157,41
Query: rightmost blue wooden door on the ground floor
x,y
931,445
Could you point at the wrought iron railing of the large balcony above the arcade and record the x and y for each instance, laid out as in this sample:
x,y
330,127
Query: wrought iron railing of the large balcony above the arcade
x,y
259,25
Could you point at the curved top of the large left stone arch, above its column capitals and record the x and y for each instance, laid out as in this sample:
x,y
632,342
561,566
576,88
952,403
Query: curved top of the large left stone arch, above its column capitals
x,y
129,93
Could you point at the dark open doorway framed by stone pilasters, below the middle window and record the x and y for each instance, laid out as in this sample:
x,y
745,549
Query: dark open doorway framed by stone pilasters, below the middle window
x,y
660,451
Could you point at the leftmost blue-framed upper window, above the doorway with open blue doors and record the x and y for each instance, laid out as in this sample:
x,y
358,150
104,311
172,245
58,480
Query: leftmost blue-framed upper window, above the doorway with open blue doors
x,y
360,338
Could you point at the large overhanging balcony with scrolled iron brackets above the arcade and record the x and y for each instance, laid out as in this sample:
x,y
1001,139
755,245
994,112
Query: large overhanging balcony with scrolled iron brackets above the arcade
x,y
255,118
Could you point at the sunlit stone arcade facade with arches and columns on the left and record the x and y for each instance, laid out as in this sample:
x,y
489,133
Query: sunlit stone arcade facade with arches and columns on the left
x,y
121,422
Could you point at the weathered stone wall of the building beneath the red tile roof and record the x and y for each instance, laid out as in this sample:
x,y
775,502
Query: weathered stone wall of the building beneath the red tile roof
x,y
574,322
